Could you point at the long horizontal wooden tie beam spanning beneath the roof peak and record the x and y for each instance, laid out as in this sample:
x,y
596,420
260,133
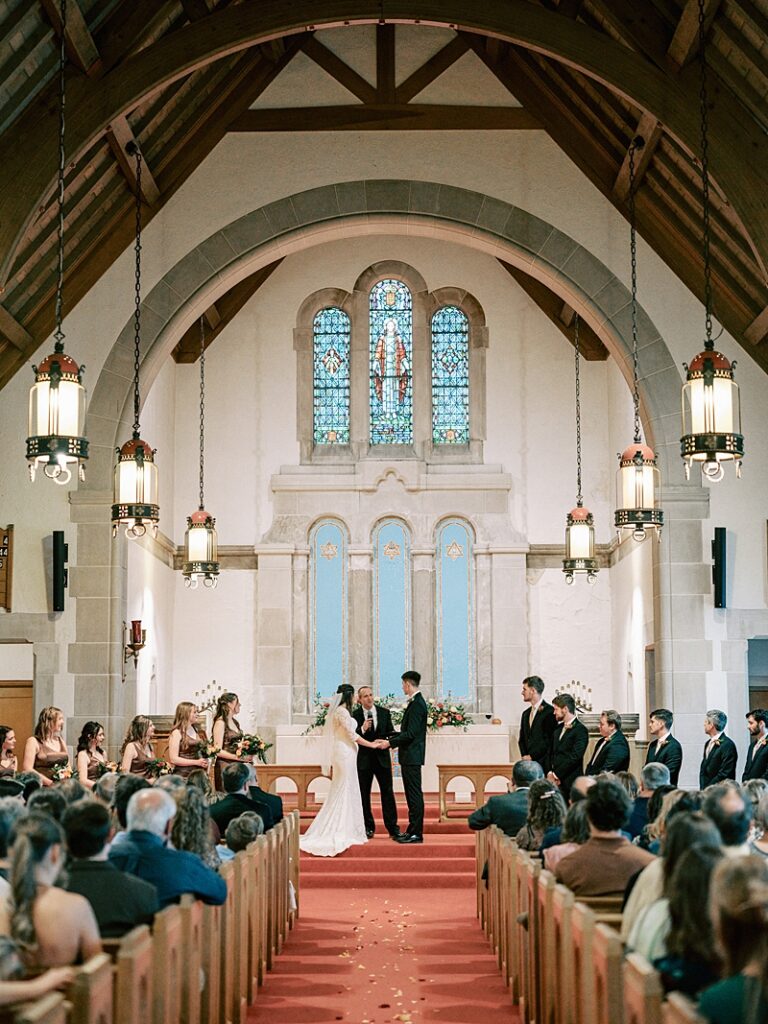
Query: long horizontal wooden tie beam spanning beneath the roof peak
x,y
377,117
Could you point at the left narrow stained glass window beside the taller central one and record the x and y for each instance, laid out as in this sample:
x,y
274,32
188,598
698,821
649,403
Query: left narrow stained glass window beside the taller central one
x,y
331,377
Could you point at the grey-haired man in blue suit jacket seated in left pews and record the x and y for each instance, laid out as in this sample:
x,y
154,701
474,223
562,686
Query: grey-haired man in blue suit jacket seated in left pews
x,y
144,852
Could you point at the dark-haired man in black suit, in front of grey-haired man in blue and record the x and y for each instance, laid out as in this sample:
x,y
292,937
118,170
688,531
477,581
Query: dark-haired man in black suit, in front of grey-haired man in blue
x,y
120,902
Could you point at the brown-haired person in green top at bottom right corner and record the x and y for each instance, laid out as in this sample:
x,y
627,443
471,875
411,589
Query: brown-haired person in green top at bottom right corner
x,y
740,900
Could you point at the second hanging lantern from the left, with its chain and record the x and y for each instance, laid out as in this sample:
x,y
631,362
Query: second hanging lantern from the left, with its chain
x,y
136,505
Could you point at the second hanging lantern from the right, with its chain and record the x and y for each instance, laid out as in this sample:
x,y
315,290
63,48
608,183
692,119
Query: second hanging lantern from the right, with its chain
x,y
638,480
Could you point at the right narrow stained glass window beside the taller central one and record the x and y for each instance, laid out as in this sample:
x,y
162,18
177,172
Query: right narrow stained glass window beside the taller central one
x,y
450,377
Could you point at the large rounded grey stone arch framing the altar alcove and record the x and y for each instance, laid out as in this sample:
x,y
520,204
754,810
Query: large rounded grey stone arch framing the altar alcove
x,y
374,207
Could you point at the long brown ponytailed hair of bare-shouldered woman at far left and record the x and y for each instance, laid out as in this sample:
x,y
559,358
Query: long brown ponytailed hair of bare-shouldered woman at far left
x,y
35,835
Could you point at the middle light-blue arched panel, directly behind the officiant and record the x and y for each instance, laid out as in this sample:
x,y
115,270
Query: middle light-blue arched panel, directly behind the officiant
x,y
392,605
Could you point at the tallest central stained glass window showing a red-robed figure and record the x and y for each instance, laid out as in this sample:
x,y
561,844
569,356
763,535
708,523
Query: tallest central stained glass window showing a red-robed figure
x,y
392,383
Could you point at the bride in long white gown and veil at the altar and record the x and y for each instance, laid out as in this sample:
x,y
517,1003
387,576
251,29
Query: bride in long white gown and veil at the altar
x,y
339,824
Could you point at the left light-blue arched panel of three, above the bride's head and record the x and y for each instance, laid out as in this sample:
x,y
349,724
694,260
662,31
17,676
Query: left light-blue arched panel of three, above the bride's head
x,y
328,608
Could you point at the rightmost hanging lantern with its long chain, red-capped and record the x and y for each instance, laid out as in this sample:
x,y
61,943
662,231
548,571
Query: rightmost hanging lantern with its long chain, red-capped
x,y
712,411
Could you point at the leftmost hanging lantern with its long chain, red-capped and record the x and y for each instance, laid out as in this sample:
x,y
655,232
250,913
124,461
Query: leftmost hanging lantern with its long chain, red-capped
x,y
57,419
